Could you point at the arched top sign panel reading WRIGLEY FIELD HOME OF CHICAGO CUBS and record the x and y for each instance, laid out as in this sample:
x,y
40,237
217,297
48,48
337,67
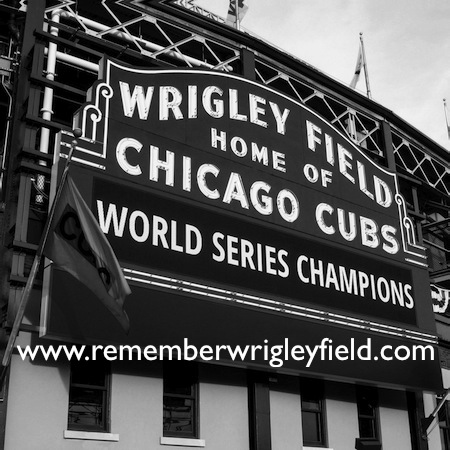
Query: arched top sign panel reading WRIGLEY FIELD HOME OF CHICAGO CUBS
x,y
236,146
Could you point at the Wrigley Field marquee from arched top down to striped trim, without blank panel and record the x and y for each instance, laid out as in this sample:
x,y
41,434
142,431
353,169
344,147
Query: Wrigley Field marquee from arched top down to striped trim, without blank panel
x,y
210,185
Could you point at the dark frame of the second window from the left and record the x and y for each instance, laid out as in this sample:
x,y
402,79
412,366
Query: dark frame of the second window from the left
x,y
173,369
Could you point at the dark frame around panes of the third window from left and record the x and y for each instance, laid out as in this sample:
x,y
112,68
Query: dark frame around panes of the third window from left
x,y
307,387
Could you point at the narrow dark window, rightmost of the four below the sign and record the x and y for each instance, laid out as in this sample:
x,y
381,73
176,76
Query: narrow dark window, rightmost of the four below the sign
x,y
367,402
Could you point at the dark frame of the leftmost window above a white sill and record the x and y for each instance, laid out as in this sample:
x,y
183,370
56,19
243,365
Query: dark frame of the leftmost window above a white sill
x,y
105,424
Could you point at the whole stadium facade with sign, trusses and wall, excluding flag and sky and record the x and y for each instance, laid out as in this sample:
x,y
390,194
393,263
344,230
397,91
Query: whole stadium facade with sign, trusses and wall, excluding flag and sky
x,y
283,234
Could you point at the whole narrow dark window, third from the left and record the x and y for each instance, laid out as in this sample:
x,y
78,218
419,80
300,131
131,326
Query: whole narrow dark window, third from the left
x,y
313,413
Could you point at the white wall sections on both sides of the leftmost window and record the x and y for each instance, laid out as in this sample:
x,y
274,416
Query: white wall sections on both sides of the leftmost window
x,y
38,402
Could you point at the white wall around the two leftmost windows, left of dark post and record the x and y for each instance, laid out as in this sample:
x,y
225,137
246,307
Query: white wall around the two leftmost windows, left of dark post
x,y
38,402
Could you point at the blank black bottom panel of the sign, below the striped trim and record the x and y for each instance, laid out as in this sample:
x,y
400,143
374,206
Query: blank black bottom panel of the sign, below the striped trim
x,y
160,318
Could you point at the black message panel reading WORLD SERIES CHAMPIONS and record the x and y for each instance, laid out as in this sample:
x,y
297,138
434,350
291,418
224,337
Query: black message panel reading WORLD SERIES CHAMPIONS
x,y
160,233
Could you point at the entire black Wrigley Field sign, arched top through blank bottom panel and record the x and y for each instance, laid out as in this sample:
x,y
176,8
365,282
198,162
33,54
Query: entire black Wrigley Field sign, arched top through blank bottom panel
x,y
240,215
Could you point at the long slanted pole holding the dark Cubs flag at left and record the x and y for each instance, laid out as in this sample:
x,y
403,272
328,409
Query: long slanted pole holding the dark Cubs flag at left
x,y
36,262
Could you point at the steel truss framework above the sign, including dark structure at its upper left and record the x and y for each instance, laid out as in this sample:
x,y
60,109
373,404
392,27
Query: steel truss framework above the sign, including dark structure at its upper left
x,y
135,32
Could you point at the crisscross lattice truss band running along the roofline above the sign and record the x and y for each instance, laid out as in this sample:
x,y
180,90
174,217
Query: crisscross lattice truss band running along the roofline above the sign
x,y
162,39
